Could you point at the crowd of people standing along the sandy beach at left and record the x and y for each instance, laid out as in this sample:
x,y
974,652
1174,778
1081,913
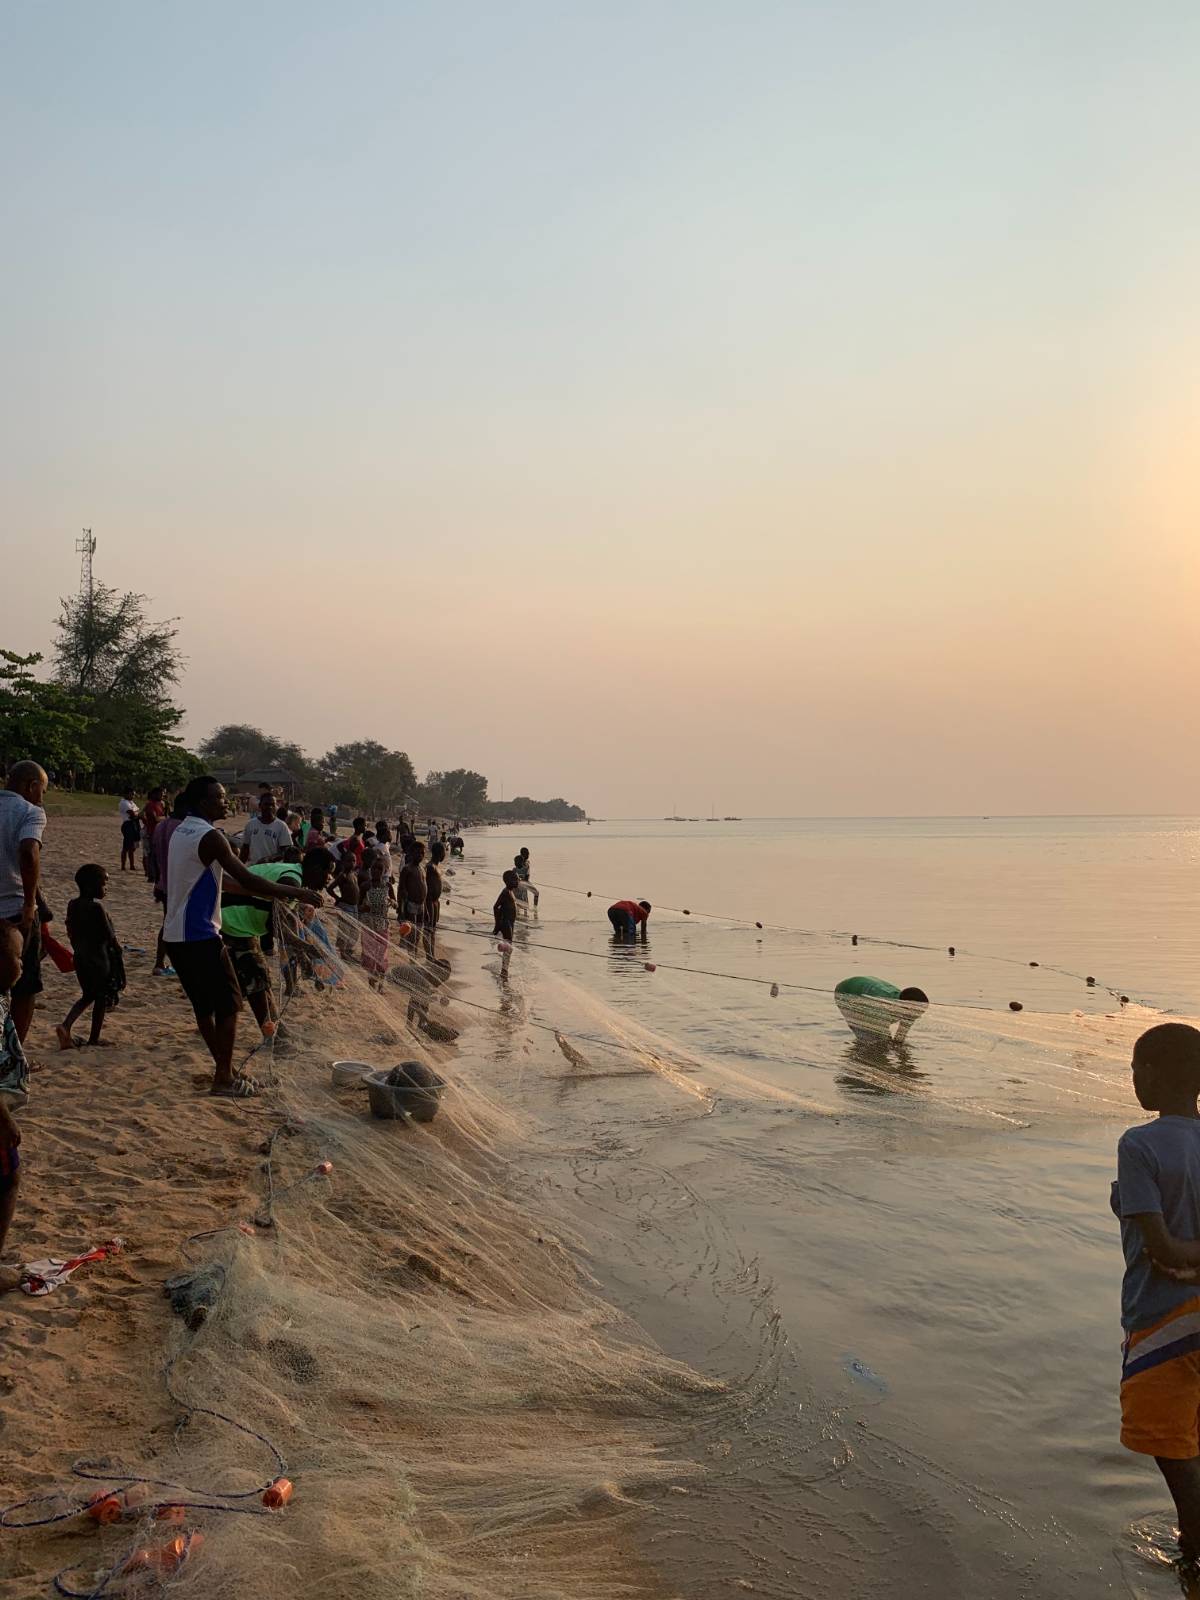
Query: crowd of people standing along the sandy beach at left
x,y
225,903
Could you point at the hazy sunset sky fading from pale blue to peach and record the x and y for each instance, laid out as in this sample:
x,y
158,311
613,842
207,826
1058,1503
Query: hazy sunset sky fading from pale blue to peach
x,y
783,407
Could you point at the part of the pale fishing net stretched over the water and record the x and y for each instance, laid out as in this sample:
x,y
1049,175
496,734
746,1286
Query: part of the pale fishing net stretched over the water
x,y
1010,1063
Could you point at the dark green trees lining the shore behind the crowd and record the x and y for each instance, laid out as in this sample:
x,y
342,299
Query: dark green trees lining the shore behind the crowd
x,y
106,719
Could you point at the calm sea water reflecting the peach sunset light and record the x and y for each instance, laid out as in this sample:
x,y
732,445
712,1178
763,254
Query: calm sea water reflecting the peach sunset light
x,y
905,1266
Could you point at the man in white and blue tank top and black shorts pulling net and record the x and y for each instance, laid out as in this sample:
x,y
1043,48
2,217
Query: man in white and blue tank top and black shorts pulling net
x,y
196,866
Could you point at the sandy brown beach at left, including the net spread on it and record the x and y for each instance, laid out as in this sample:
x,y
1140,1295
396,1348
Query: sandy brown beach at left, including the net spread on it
x,y
457,1407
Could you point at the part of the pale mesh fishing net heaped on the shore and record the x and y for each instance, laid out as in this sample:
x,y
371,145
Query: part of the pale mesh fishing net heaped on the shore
x,y
396,1329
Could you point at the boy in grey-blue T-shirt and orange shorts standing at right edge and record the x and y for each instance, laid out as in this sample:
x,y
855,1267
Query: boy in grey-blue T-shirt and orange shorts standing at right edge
x,y
1158,1199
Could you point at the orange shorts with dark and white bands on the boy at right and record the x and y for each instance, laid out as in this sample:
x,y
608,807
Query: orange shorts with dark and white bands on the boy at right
x,y
1161,1386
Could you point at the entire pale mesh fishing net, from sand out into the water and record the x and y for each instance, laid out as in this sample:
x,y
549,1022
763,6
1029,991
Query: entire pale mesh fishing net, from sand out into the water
x,y
433,1329
